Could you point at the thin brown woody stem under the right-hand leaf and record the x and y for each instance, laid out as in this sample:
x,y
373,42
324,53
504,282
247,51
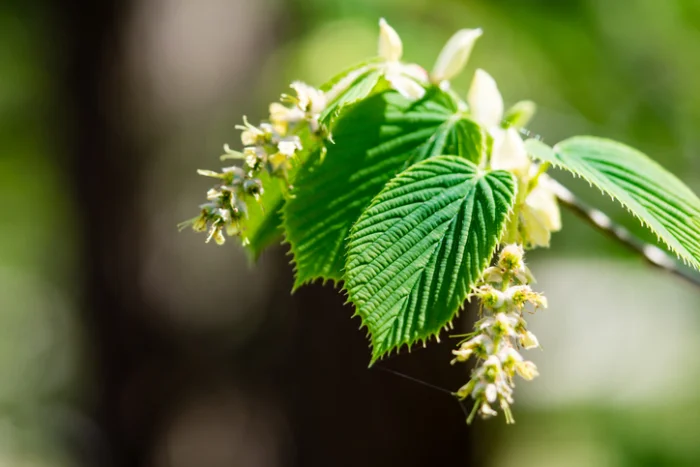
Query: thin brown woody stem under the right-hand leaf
x,y
652,254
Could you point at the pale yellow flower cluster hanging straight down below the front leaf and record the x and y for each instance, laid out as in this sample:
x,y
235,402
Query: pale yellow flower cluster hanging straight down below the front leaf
x,y
504,294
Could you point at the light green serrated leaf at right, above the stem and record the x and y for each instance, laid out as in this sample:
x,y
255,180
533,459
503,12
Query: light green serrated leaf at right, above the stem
x,y
660,200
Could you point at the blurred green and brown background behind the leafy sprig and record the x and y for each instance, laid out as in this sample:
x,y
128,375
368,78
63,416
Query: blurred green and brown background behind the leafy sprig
x,y
126,343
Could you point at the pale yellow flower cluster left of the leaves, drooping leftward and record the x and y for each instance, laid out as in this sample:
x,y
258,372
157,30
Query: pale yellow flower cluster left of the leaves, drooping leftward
x,y
268,148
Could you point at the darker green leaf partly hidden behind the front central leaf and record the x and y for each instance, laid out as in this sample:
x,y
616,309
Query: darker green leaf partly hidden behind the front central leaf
x,y
374,141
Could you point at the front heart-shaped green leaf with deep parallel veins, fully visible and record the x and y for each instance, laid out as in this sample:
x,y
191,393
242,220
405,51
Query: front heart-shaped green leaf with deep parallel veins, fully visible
x,y
416,252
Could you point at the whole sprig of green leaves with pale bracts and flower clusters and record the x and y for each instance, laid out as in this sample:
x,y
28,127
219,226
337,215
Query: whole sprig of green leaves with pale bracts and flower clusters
x,y
378,179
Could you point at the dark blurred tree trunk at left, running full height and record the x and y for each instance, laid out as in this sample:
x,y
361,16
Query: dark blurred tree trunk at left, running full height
x,y
105,165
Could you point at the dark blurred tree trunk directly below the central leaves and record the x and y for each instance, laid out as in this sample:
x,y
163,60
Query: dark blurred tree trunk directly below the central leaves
x,y
345,414
